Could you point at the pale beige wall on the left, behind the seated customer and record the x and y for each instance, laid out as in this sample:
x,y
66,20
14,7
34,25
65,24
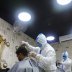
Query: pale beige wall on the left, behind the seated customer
x,y
8,53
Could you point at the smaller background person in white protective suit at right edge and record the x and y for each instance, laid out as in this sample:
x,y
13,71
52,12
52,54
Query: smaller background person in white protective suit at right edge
x,y
66,62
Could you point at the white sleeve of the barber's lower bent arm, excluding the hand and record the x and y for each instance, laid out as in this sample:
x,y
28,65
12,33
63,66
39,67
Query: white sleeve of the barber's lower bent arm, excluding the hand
x,y
45,61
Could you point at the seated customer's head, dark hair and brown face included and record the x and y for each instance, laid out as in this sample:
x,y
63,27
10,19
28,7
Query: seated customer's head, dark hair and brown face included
x,y
21,52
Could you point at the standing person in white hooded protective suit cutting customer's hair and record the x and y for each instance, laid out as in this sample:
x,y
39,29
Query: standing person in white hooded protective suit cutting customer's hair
x,y
44,54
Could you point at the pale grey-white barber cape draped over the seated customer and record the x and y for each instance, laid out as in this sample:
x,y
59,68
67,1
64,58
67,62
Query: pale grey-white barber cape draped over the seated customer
x,y
25,65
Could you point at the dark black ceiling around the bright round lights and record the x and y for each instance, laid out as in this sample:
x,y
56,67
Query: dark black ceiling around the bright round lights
x,y
48,19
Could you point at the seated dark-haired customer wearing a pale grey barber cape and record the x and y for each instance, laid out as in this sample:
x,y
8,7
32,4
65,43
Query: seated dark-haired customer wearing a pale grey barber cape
x,y
24,64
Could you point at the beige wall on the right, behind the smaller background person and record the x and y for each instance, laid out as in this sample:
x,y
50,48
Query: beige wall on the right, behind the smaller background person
x,y
61,47
